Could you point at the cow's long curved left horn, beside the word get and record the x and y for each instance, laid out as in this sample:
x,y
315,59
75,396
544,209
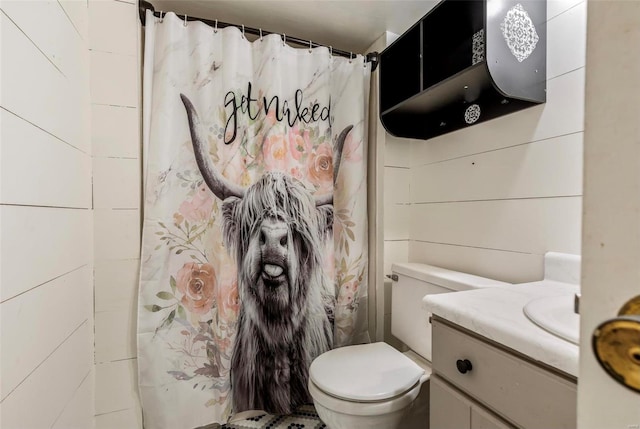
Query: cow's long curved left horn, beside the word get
x,y
218,184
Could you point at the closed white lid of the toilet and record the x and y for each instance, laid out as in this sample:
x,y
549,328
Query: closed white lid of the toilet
x,y
367,372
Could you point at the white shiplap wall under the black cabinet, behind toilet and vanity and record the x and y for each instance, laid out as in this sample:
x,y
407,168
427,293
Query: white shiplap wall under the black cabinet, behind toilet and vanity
x,y
493,198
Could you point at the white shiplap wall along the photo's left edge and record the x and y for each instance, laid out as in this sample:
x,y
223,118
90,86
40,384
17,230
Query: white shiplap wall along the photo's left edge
x,y
46,239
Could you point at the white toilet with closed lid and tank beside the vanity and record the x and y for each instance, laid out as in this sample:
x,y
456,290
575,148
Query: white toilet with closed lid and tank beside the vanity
x,y
374,385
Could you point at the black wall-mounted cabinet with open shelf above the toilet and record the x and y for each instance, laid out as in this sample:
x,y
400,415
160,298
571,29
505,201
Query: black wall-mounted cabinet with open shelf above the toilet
x,y
463,63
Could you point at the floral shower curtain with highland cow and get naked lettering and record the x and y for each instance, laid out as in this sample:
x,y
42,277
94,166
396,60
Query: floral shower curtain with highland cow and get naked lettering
x,y
254,256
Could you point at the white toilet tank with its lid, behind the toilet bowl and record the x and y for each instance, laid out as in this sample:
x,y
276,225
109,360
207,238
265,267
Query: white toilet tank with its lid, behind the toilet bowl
x,y
409,322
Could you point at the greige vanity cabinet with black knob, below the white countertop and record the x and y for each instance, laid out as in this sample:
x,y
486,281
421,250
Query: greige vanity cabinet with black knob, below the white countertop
x,y
478,384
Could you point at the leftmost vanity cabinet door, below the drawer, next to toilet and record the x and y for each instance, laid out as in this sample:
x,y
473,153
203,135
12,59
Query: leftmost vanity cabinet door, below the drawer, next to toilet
x,y
448,409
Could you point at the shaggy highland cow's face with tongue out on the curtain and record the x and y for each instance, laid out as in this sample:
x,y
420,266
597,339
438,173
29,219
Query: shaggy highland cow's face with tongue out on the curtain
x,y
277,233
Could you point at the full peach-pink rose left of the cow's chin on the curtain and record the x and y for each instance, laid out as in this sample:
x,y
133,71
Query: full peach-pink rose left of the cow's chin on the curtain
x,y
197,283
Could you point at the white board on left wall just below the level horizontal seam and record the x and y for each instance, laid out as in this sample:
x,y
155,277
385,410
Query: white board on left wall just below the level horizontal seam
x,y
39,244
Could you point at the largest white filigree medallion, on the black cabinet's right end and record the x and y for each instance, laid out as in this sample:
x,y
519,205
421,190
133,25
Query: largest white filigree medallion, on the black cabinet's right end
x,y
519,32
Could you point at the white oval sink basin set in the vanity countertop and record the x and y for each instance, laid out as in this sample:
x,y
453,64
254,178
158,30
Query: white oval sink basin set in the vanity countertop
x,y
555,315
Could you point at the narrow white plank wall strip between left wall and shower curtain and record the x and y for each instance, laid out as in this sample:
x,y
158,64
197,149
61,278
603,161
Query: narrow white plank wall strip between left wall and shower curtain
x,y
114,30
